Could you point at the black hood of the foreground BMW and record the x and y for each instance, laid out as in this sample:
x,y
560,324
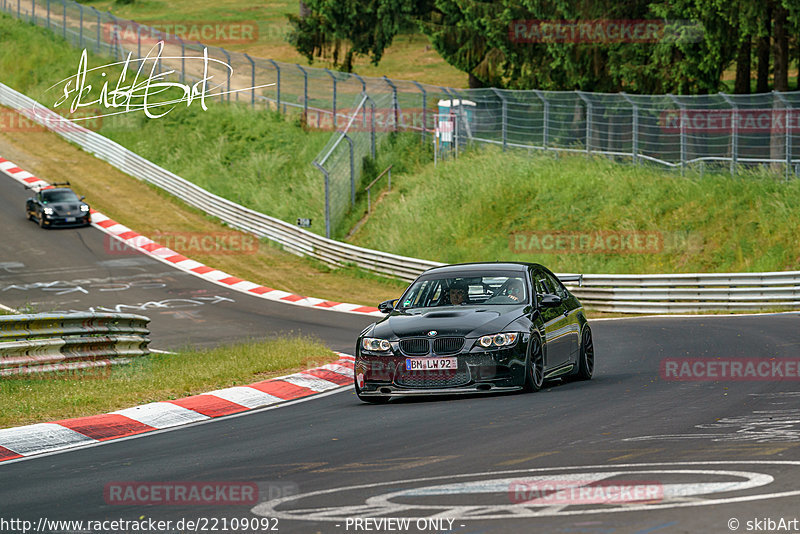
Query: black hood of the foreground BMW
x,y
453,321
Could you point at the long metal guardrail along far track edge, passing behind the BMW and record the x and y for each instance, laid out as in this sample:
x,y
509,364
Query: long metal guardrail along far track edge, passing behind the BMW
x,y
674,293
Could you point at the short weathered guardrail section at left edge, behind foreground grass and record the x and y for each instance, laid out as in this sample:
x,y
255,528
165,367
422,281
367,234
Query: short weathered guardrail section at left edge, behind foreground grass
x,y
49,342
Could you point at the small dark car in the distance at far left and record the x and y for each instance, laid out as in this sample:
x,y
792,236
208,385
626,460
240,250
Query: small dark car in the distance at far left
x,y
57,205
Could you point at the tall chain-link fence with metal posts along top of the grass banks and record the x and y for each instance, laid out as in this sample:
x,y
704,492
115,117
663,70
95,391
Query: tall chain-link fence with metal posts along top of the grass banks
x,y
718,130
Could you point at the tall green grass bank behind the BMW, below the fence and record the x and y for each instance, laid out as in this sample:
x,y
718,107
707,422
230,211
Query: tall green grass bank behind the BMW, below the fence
x,y
483,200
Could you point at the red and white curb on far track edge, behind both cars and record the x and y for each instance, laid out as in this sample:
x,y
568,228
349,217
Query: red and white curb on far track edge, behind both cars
x,y
150,248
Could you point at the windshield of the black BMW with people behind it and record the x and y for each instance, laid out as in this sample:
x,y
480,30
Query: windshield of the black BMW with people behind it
x,y
469,289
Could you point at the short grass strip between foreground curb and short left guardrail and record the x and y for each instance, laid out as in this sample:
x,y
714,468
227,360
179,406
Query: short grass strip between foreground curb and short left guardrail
x,y
157,377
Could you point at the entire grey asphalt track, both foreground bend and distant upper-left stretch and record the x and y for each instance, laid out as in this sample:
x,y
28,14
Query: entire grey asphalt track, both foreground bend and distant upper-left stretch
x,y
718,454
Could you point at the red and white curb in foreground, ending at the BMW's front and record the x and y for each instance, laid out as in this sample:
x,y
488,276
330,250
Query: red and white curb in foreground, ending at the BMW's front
x,y
42,438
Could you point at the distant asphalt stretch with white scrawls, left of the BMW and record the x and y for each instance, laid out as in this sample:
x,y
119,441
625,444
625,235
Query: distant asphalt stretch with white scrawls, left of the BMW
x,y
76,269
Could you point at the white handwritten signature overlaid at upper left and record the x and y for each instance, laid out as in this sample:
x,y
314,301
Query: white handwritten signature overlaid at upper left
x,y
145,90
